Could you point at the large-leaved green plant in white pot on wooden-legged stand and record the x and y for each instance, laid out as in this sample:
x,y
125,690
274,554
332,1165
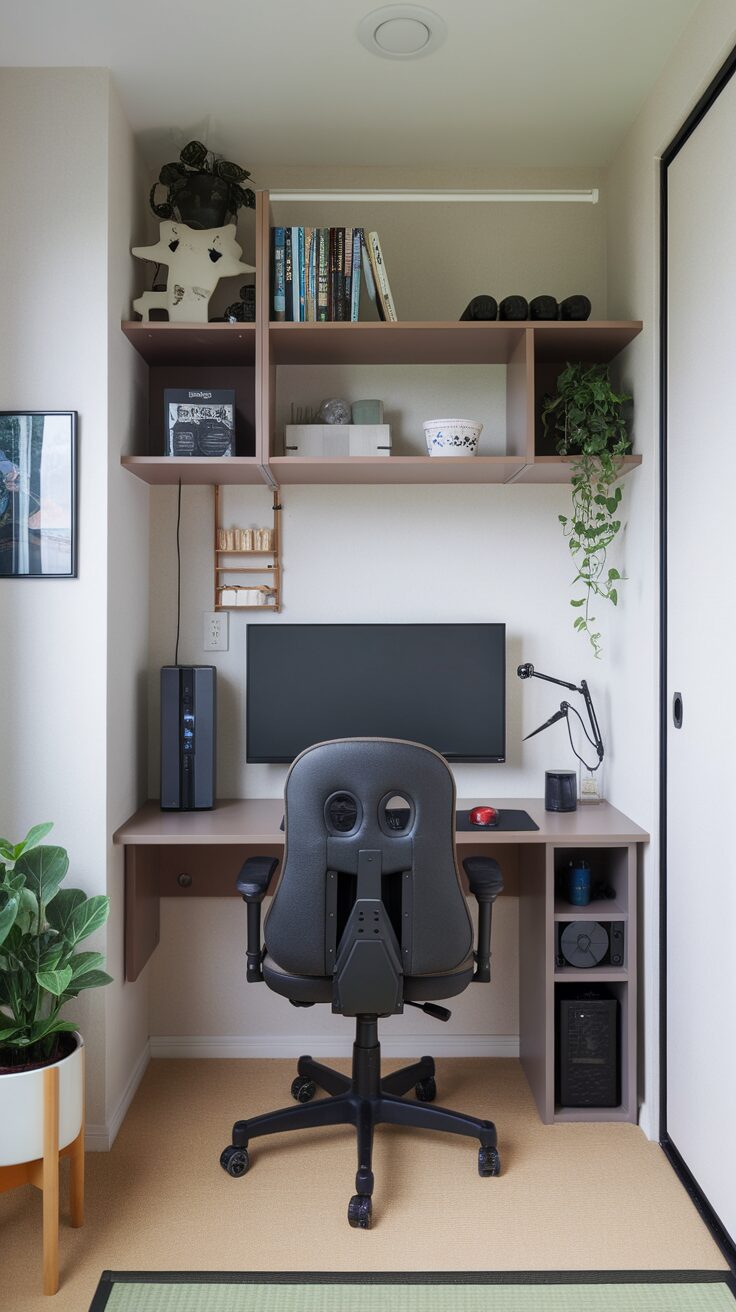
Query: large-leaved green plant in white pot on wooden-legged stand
x,y
41,1054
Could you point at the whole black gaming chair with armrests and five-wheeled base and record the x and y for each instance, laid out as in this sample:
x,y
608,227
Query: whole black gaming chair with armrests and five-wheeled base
x,y
369,915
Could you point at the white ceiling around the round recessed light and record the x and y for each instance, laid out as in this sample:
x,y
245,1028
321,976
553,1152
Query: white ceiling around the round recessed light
x,y
518,83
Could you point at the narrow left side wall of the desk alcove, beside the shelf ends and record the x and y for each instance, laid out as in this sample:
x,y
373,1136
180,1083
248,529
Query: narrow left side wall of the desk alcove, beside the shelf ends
x,y
127,1016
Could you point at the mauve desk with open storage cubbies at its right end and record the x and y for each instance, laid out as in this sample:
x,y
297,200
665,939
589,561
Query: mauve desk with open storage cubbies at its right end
x,y
199,855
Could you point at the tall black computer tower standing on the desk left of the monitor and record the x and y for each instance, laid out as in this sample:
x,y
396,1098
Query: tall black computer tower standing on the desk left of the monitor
x,y
188,738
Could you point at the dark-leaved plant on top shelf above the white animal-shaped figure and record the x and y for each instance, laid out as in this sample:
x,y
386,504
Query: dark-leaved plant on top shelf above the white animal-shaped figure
x,y
203,190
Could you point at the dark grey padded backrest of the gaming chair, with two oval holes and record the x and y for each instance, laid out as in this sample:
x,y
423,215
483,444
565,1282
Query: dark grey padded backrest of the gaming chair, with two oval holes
x,y
348,867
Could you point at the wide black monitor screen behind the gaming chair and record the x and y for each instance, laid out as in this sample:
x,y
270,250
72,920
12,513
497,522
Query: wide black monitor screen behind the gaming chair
x,y
438,684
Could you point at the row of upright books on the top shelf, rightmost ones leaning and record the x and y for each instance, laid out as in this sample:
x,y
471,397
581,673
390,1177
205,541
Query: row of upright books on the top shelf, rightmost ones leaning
x,y
317,275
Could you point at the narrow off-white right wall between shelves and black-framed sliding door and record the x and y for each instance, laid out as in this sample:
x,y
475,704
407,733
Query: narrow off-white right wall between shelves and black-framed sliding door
x,y
633,266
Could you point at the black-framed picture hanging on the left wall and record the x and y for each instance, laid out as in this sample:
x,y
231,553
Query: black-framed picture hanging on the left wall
x,y
37,494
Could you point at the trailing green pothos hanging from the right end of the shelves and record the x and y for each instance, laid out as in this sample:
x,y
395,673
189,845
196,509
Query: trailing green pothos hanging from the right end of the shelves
x,y
587,420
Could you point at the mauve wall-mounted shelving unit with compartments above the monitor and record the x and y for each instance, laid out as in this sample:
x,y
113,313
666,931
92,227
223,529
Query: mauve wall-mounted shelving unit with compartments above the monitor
x,y
249,359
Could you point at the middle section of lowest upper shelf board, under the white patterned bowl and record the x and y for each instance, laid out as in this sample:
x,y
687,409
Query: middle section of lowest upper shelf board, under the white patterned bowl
x,y
396,469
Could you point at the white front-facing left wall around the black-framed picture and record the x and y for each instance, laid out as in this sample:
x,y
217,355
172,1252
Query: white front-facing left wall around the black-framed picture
x,y
53,653
